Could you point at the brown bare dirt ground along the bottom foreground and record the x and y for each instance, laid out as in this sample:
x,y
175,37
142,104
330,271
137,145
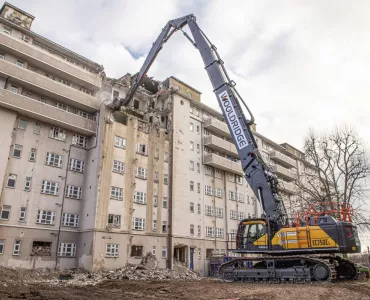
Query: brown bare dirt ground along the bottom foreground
x,y
187,289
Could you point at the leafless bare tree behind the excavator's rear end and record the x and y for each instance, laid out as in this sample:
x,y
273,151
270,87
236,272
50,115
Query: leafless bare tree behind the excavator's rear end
x,y
338,172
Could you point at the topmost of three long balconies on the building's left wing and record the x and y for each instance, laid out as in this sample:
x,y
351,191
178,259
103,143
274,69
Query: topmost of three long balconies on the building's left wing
x,y
49,62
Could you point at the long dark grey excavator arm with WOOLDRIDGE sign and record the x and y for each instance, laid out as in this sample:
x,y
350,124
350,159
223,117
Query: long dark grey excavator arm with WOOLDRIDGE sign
x,y
262,181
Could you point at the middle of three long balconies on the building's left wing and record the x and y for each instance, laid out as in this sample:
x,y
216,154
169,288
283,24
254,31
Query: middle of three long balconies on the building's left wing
x,y
45,86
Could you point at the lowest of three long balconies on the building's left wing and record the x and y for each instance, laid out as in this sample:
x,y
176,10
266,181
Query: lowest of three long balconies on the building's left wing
x,y
46,113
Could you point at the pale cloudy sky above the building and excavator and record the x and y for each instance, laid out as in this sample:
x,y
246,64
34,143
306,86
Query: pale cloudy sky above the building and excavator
x,y
297,64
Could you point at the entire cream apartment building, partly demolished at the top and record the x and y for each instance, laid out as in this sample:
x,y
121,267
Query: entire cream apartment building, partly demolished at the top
x,y
84,185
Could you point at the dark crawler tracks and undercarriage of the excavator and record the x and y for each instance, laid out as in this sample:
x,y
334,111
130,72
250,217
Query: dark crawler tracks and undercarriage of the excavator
x,y
294,268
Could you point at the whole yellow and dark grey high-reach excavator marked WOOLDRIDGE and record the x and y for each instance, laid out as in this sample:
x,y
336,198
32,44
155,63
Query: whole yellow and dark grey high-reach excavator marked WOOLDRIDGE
x,y
301,251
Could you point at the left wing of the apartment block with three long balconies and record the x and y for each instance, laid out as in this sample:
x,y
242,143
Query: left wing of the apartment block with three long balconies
x,y
49,104
